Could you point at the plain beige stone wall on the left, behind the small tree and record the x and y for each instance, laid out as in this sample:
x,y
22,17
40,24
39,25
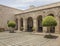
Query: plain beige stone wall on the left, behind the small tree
x,y
7,13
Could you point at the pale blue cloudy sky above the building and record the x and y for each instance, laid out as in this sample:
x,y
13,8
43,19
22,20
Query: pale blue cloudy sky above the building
x,y
24,4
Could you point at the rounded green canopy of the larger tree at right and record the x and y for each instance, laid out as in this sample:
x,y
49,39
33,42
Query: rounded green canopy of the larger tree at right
x,y
49,21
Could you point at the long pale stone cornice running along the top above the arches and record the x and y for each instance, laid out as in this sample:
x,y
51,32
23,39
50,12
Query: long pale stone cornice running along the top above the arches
x,y
53,5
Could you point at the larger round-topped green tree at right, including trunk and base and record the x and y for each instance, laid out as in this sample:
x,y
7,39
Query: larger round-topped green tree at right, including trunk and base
x,y
49,21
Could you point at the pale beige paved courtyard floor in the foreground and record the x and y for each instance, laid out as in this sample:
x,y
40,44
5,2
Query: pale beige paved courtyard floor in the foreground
x,y
26,39
